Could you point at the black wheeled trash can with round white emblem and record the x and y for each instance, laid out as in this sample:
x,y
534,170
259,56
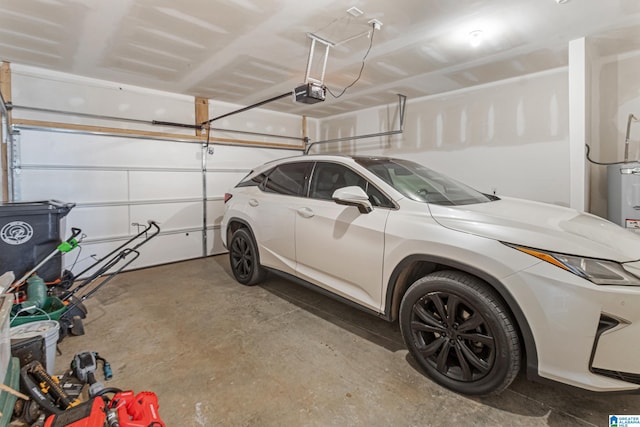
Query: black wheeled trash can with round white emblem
x,y
29,231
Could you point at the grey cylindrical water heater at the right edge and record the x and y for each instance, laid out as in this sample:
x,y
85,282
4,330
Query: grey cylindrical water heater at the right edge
x,y
624,195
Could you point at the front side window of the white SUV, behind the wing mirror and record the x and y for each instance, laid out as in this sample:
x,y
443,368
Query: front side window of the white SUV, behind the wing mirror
x,y
328,177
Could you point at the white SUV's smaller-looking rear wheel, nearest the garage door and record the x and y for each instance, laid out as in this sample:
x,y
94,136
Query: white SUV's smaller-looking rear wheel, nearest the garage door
x,y
244,258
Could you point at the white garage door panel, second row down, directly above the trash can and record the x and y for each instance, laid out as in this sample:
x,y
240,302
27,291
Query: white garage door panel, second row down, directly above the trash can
x,y
73,185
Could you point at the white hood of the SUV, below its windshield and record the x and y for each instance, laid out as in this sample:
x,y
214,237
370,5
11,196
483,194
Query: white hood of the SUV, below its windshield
x,y
542,226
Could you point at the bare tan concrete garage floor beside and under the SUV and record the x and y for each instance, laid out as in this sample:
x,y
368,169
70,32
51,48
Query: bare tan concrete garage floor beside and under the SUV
x,y
221,354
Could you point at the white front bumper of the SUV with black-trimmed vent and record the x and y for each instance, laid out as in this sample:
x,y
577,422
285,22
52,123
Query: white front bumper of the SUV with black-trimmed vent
x,y
586,335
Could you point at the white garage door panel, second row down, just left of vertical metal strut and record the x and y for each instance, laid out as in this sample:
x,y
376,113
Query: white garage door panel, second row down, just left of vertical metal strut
x,y
158,185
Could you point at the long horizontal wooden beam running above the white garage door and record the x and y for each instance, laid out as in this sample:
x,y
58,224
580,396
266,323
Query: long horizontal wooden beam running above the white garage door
x,y
150,134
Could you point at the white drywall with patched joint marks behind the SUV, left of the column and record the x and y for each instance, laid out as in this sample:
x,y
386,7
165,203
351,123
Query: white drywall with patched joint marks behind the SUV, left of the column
x,y
510,137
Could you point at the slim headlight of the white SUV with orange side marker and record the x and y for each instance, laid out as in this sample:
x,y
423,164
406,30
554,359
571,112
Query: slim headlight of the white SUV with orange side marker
x,y
598,271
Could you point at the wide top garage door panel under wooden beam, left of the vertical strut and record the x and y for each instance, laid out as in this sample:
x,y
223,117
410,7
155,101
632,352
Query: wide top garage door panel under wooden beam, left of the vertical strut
x,y
56,148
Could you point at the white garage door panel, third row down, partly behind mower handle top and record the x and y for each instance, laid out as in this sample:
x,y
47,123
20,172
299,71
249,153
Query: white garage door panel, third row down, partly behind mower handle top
x,y
169,216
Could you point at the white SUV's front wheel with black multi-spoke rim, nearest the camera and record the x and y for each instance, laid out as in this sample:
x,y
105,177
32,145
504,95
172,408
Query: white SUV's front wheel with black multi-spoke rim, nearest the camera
x,y
460,333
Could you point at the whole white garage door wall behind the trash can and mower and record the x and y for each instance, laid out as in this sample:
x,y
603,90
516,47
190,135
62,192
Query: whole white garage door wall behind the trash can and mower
x,y
118,181
